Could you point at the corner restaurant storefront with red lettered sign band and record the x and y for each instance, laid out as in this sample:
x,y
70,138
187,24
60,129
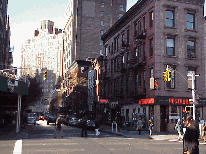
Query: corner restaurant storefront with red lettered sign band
x,y
165,111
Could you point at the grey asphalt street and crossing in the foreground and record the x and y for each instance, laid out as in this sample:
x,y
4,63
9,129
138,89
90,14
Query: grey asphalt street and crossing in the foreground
x,y
40,140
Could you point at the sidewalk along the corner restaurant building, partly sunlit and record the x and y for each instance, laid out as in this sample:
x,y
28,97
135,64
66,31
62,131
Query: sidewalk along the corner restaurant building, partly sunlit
x,y
144,134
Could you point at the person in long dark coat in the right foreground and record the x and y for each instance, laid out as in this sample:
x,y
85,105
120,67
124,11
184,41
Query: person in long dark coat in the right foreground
x,y
190,140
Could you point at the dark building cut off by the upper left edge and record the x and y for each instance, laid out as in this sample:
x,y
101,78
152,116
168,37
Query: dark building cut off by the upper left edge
x,y
6,59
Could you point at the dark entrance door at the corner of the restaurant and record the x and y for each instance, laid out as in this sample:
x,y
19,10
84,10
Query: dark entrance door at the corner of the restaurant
x,y
164,117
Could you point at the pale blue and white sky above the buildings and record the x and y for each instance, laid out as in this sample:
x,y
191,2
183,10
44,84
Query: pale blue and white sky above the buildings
x,y
25,17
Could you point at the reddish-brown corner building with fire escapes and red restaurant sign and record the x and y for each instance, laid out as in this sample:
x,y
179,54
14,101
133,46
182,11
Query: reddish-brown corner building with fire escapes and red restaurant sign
x,y
152,35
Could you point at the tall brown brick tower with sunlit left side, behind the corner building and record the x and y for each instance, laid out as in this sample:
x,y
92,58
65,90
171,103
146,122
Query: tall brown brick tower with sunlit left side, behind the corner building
x,y
86,21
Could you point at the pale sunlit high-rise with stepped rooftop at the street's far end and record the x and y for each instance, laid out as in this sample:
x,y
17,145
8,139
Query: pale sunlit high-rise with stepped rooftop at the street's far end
x,y
42,53
